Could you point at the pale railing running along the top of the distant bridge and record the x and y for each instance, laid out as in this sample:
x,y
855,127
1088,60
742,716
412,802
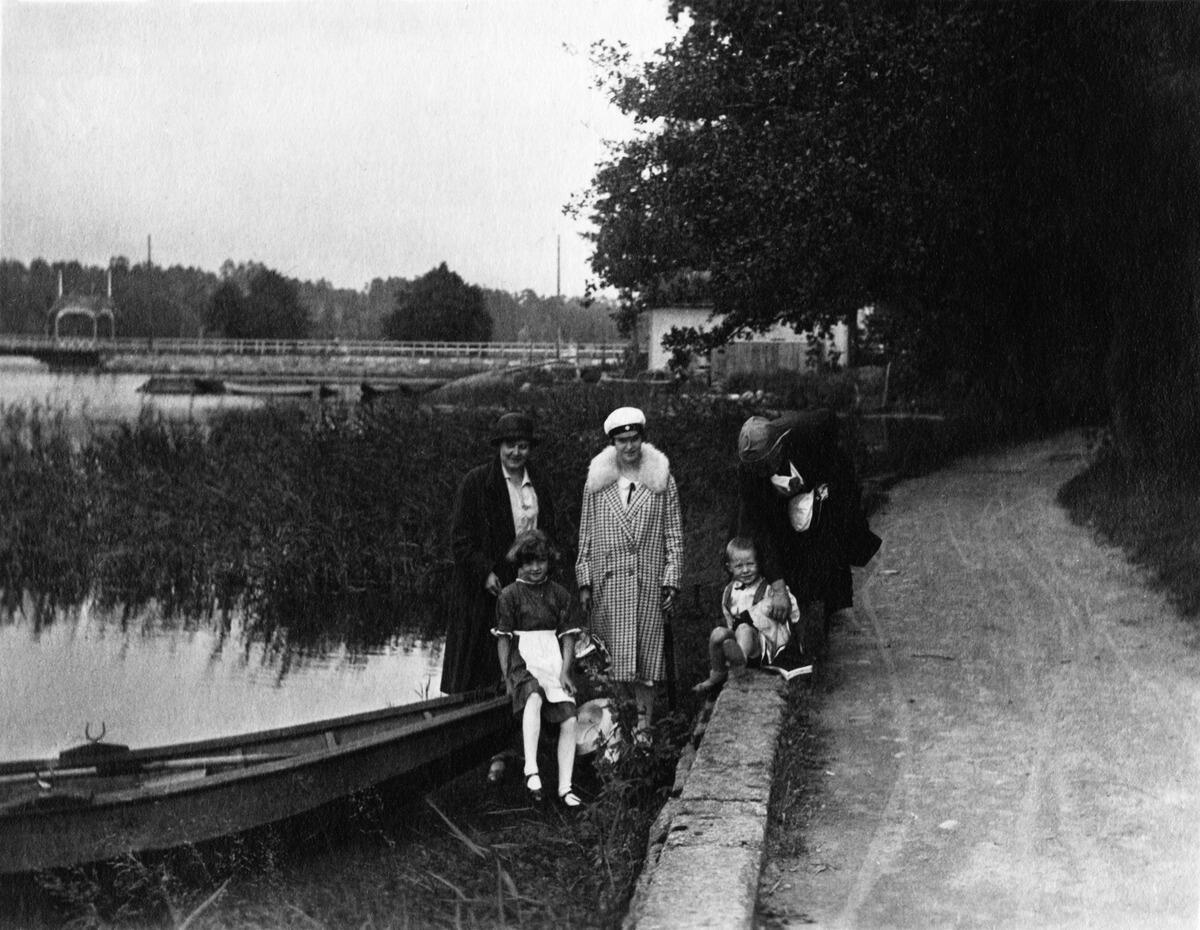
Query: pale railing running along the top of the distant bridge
x,y
517,352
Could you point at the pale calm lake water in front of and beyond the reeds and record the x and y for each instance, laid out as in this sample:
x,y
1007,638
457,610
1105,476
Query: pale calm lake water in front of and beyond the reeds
x,y
151,681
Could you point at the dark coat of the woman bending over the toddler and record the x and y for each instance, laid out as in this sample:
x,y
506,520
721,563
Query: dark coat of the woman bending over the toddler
x,y
815,565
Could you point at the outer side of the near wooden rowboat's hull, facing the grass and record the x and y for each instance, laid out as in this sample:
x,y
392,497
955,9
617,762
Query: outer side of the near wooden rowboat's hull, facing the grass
x,y
185,807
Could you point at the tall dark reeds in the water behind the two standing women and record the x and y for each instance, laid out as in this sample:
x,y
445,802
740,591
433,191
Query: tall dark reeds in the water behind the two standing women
x,y
323,524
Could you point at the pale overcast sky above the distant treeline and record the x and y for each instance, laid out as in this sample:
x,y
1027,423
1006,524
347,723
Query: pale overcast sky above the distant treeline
x,y
346,140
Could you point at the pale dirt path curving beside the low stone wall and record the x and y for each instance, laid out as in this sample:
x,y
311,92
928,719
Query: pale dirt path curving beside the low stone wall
x,y
1010,727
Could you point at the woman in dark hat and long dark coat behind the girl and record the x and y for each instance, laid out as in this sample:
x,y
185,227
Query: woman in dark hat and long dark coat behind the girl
x,y
495,502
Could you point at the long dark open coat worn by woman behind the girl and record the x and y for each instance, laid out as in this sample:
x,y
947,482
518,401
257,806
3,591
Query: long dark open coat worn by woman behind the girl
x,y
481,536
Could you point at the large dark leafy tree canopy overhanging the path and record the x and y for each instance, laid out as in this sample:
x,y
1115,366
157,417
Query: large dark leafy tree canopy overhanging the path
x,y
970,170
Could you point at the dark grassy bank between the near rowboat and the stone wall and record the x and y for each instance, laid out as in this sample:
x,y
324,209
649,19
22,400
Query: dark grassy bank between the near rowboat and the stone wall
x,y
459,857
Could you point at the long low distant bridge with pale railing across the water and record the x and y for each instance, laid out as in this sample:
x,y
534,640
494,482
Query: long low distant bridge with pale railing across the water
x,y
93,353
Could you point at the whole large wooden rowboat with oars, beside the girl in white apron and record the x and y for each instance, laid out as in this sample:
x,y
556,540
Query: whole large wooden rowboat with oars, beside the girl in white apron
x,y
103,801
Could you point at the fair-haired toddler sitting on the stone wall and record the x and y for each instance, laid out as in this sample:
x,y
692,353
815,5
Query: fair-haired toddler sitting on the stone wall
x,y
748,635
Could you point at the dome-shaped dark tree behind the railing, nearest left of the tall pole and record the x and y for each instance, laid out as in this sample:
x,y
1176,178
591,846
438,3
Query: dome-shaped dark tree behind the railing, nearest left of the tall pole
x,y
440,307
